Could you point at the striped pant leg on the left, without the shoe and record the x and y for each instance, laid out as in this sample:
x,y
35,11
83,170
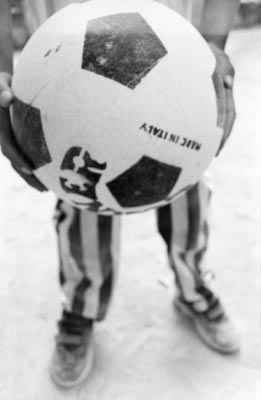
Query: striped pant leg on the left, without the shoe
x,y
88,254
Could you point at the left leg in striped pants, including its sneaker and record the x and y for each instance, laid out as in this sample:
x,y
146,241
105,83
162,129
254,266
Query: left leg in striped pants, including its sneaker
x,y
88,250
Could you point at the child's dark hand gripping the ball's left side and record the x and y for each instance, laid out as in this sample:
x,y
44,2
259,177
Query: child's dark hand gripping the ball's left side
x,y
7,139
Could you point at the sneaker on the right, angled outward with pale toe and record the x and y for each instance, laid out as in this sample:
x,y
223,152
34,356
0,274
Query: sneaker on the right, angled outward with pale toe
x,y
213,325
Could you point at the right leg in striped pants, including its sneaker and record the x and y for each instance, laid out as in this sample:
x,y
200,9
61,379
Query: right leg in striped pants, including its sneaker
x,y
183,225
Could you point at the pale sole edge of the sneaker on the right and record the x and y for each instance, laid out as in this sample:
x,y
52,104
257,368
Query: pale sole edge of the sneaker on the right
x,y
182,309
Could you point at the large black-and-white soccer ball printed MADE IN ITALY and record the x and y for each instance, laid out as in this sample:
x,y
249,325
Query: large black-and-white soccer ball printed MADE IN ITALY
x,y
115,105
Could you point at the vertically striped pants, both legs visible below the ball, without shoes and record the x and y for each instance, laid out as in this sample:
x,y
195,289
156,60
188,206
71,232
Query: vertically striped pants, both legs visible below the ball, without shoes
x,y
89,251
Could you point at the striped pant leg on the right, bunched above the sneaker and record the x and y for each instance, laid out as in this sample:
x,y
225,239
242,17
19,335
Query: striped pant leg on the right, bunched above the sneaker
x,y
184,226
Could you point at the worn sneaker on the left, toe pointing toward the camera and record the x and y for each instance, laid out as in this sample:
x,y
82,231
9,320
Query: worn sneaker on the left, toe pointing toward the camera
x,y
72,359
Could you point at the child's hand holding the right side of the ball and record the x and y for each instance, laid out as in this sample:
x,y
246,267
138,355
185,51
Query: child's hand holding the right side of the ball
x,y
223,81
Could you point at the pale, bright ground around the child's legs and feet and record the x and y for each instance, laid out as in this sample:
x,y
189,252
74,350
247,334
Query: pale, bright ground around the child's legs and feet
x,y
144,350
